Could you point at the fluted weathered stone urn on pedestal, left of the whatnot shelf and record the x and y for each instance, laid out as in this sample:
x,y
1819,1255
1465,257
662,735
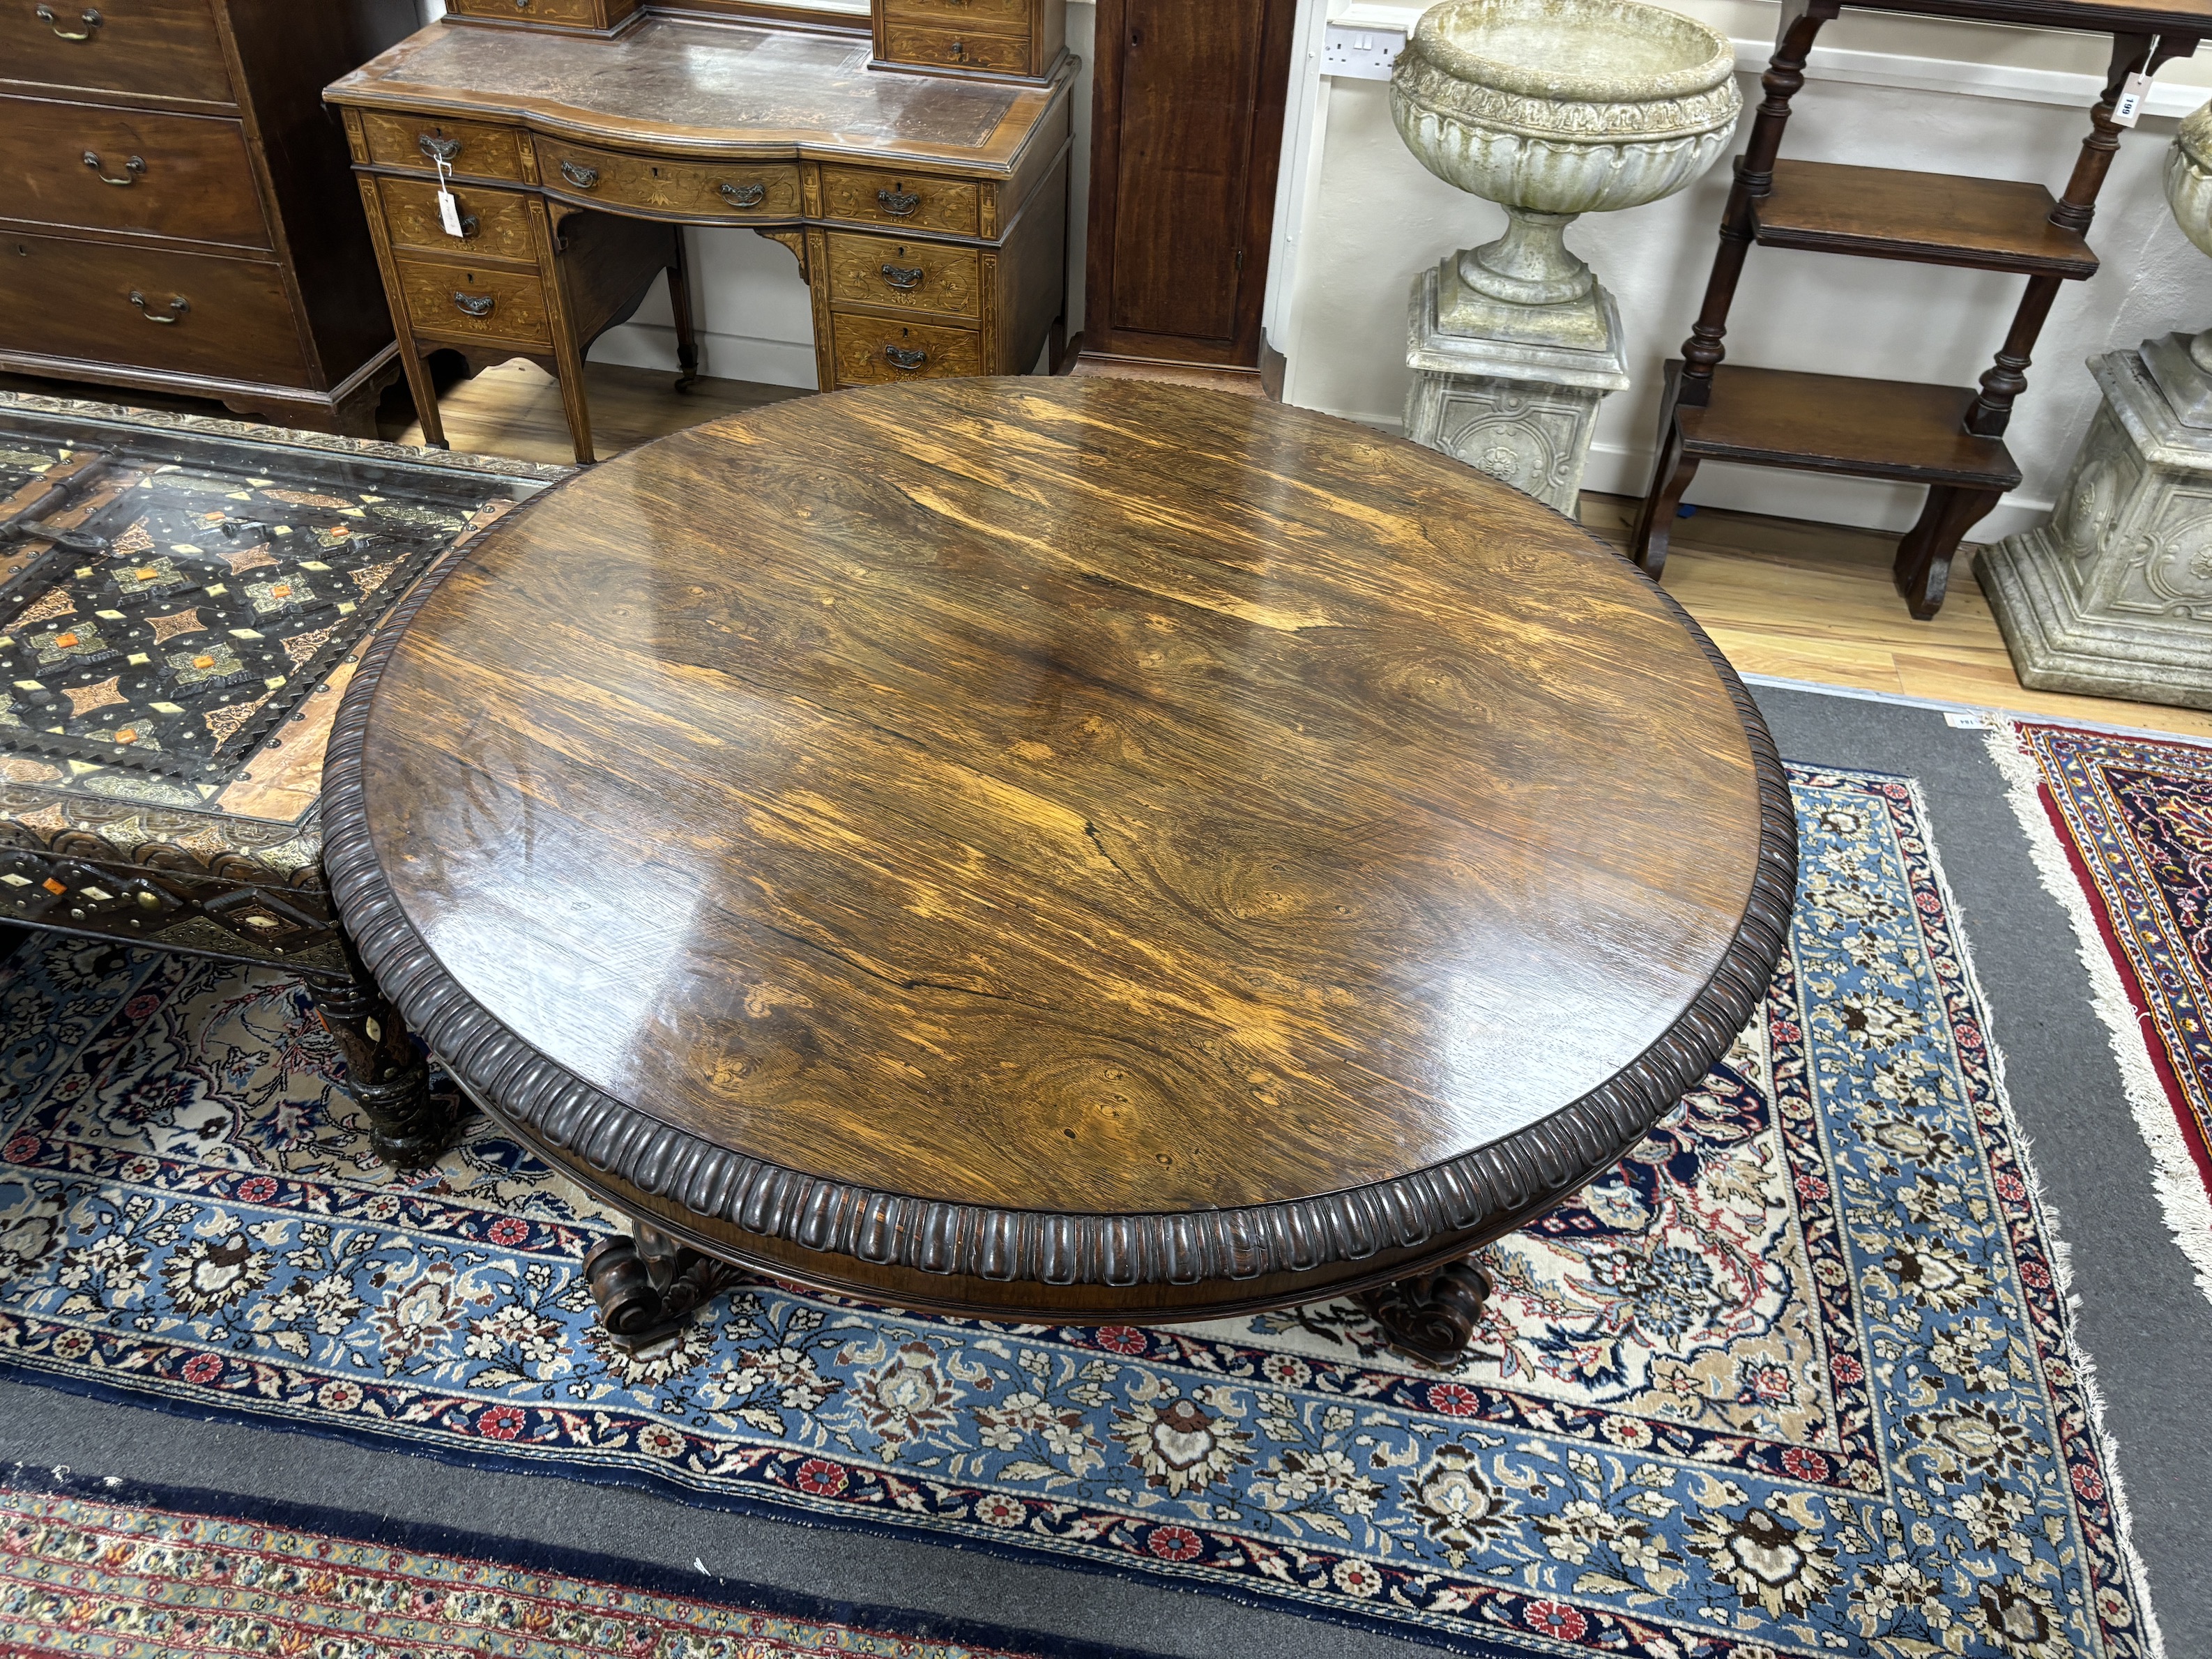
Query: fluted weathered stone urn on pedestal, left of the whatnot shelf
x,y
1556,109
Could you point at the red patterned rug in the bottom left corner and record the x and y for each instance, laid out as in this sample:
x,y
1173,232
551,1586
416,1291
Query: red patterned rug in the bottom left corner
x,y
143,1574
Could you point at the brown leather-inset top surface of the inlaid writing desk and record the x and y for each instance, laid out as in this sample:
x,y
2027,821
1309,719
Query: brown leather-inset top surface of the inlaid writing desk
x,y
707,87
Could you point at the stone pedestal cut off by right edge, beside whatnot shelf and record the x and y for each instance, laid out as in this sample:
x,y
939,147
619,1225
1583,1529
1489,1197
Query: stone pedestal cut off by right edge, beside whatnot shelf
x,y
2114,596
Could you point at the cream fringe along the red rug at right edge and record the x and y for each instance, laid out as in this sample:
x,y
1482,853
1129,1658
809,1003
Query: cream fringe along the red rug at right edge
x,y
2182,1193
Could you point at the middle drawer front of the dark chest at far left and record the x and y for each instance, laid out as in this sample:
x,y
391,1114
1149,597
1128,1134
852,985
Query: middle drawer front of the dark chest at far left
x,y
169,176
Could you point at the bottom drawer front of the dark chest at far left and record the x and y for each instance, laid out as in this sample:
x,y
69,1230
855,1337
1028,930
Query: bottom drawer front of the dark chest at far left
x,y
76,300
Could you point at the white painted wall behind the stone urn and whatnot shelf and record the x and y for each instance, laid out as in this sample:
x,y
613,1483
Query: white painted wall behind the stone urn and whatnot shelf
x,y
2001,103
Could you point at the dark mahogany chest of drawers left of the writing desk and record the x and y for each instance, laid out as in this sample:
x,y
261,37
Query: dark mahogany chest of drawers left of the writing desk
x,y
176,205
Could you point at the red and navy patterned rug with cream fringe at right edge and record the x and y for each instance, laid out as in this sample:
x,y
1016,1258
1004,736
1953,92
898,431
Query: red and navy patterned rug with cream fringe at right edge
x,y
2122,831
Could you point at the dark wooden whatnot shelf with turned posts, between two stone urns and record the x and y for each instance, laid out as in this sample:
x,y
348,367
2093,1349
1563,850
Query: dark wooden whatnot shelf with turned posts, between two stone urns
x,y
1948,439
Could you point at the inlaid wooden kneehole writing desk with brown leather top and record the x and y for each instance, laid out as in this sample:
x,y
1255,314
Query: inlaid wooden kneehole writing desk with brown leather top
x,y
928,211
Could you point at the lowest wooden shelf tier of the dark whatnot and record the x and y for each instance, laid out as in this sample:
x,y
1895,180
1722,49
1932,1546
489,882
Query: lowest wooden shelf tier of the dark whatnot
x,y
1839,424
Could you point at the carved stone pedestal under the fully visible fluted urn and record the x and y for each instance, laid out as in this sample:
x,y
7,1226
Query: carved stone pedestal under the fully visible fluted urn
x,y
1521,399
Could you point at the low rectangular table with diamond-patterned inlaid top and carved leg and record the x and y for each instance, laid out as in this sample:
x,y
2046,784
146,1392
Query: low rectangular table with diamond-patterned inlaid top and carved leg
x,y
182,605
